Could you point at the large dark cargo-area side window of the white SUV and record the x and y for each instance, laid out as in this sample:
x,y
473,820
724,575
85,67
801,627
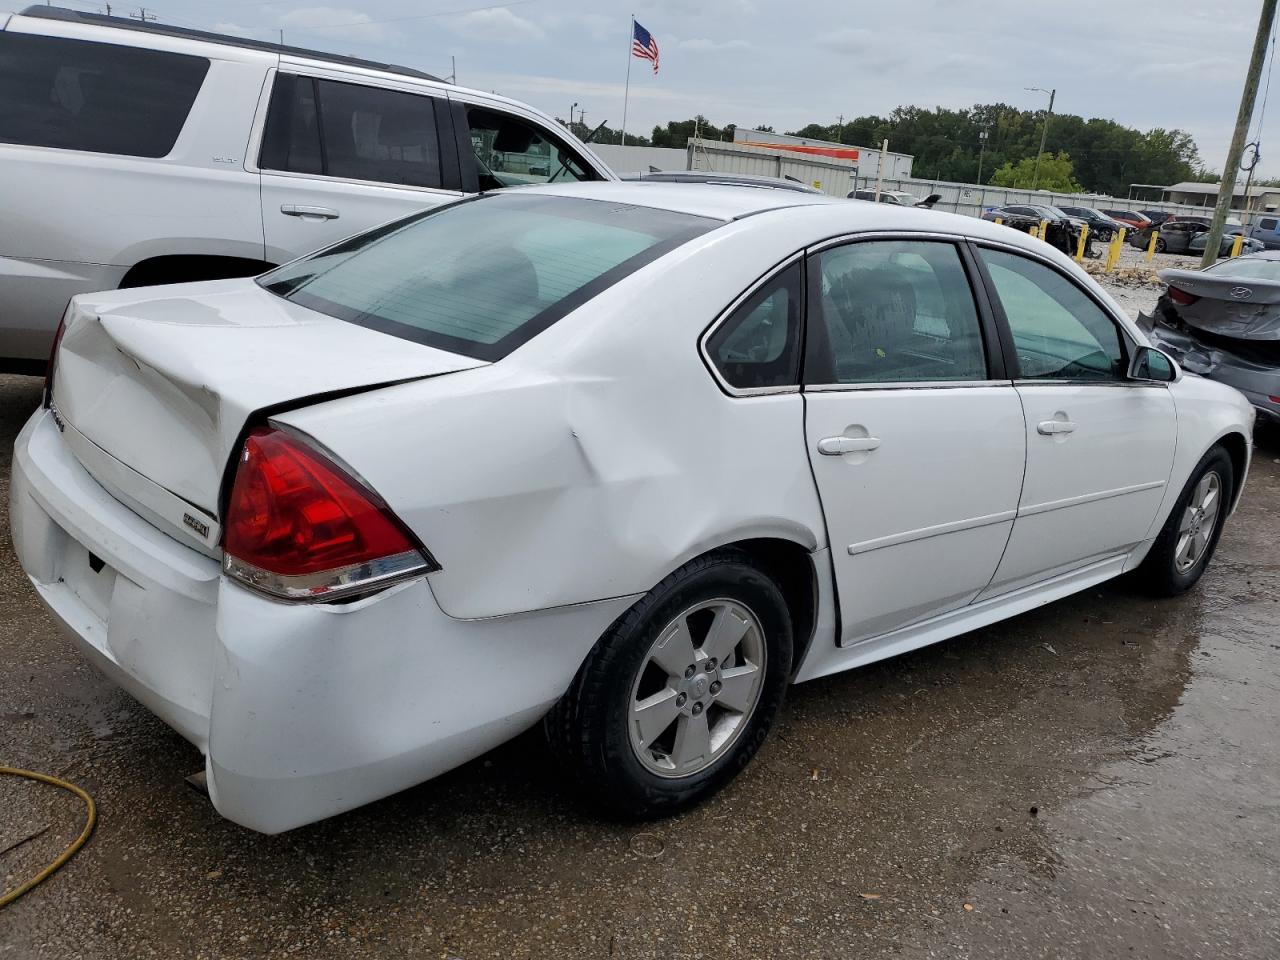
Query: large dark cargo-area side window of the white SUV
x,y
102,98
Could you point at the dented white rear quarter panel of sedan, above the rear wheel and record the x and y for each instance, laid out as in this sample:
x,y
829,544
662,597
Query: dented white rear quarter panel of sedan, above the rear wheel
x,y
598,458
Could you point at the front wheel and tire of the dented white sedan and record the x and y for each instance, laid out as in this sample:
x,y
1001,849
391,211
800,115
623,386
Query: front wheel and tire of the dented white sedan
x,y
1171,569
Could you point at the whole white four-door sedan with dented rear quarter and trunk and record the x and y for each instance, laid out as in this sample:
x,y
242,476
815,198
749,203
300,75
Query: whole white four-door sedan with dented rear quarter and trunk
x,y
623,459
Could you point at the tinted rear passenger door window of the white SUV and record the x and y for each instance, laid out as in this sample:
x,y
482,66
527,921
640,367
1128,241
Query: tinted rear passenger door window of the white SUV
x,y
351,131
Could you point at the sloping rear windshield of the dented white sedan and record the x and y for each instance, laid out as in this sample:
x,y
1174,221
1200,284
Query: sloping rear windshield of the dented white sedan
x,y
483,276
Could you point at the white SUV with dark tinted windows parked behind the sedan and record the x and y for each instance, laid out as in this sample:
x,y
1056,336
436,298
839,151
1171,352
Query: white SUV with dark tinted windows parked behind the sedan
x,y
139,154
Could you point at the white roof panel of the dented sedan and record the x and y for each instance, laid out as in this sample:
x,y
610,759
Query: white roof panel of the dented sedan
x,y
721,202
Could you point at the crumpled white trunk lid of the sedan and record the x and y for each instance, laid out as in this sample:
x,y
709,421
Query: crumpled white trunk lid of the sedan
x,y
157,385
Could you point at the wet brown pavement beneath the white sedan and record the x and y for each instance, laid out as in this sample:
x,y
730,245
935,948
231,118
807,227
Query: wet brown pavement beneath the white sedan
x,y
1099,779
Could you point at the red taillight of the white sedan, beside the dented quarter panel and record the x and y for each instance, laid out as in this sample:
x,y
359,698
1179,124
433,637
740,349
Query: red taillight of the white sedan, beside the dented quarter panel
x,y
303,528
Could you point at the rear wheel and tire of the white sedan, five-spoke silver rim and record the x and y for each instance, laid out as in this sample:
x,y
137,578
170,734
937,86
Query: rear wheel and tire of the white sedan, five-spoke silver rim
x,y
597,728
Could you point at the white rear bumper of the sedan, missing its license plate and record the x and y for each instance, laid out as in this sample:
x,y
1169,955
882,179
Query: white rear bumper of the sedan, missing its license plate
x,y
301,711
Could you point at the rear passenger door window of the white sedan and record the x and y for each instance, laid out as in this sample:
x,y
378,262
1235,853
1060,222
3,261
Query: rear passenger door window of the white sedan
x,y
895,312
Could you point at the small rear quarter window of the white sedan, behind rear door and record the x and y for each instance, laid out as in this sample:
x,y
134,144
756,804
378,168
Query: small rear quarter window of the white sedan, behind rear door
x,y
760,345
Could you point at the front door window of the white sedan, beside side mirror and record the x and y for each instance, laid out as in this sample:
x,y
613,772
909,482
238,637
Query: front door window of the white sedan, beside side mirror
x,y
1059,333
